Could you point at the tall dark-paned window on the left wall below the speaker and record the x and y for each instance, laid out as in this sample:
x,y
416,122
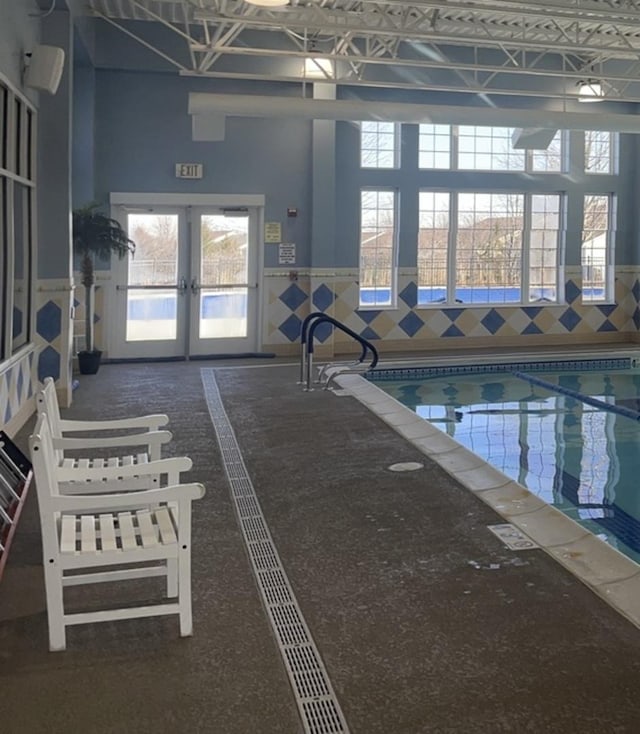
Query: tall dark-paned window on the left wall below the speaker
x,y
17,184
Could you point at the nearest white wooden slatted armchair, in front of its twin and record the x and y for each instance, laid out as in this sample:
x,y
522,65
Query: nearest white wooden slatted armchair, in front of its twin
x,y
111,537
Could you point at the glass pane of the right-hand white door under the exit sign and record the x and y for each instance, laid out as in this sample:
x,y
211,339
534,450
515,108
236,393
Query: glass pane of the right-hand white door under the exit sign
x,y
223,276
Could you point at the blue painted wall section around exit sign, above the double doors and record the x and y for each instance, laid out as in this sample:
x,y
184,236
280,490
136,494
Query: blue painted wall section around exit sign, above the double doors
x,y
143,129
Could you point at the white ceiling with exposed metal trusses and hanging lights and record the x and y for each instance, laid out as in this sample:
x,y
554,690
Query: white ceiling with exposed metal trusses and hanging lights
x,y
539,48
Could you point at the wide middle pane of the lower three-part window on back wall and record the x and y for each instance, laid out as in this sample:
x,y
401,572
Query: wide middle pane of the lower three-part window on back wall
x,y
489,248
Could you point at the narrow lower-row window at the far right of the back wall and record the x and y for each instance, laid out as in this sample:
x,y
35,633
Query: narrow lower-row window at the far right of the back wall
x,y
597,247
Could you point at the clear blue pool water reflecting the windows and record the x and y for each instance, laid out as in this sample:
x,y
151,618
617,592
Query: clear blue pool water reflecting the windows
x,y
579,458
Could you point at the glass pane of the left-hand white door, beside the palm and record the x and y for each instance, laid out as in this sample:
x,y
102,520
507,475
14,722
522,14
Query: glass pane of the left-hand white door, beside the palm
x,y
152,312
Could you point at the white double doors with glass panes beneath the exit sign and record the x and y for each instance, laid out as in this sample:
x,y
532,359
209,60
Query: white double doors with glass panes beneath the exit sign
x,y
191,287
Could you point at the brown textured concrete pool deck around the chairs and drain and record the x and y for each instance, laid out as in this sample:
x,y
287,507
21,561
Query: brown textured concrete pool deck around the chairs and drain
x,y
425,621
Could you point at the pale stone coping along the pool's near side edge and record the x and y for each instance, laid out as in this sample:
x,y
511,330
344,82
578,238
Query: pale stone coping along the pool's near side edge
x,y
610,574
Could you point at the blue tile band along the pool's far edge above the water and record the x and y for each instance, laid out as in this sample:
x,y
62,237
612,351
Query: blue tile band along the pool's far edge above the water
x,y
565,365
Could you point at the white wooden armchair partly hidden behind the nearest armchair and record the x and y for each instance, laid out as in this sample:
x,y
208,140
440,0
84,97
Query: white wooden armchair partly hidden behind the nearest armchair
x,y
143,432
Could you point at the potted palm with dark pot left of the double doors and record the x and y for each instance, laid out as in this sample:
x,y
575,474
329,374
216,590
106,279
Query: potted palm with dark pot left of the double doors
x,y
95,235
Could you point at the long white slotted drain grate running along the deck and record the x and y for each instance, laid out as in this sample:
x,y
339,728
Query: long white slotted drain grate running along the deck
x,y
316,700
